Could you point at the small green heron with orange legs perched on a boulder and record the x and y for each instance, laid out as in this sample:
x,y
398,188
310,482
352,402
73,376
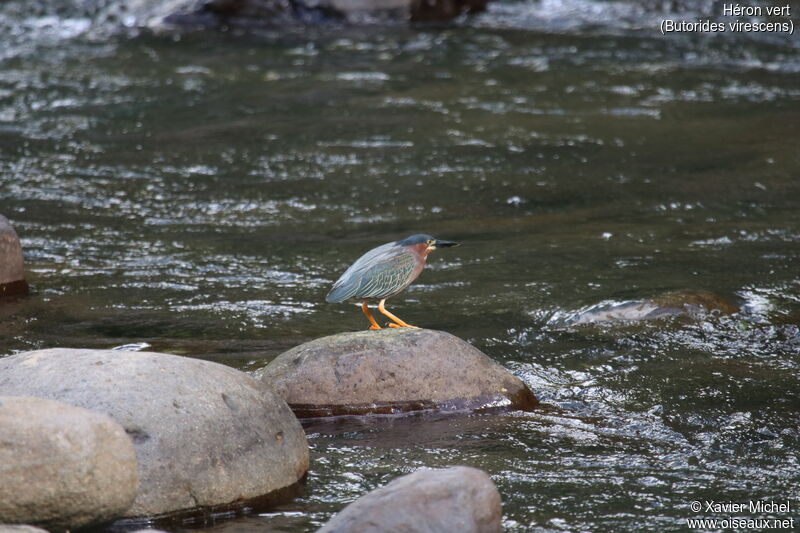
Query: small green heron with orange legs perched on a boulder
x,y
383,272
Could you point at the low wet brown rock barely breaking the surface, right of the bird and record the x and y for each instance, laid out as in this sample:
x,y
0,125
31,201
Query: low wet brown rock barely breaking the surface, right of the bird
x,y
681,303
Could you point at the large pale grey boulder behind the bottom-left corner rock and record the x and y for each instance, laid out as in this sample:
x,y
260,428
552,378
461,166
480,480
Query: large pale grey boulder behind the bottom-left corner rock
x,y
204,434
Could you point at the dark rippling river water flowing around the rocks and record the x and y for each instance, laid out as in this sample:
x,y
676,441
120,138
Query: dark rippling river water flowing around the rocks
x,y
201,195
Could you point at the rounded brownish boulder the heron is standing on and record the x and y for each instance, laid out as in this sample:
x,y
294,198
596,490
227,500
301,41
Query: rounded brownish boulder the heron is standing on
x,y
391,371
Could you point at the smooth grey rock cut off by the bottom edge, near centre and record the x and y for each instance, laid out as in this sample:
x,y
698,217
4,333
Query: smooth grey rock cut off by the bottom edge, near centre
x,y
459,499
